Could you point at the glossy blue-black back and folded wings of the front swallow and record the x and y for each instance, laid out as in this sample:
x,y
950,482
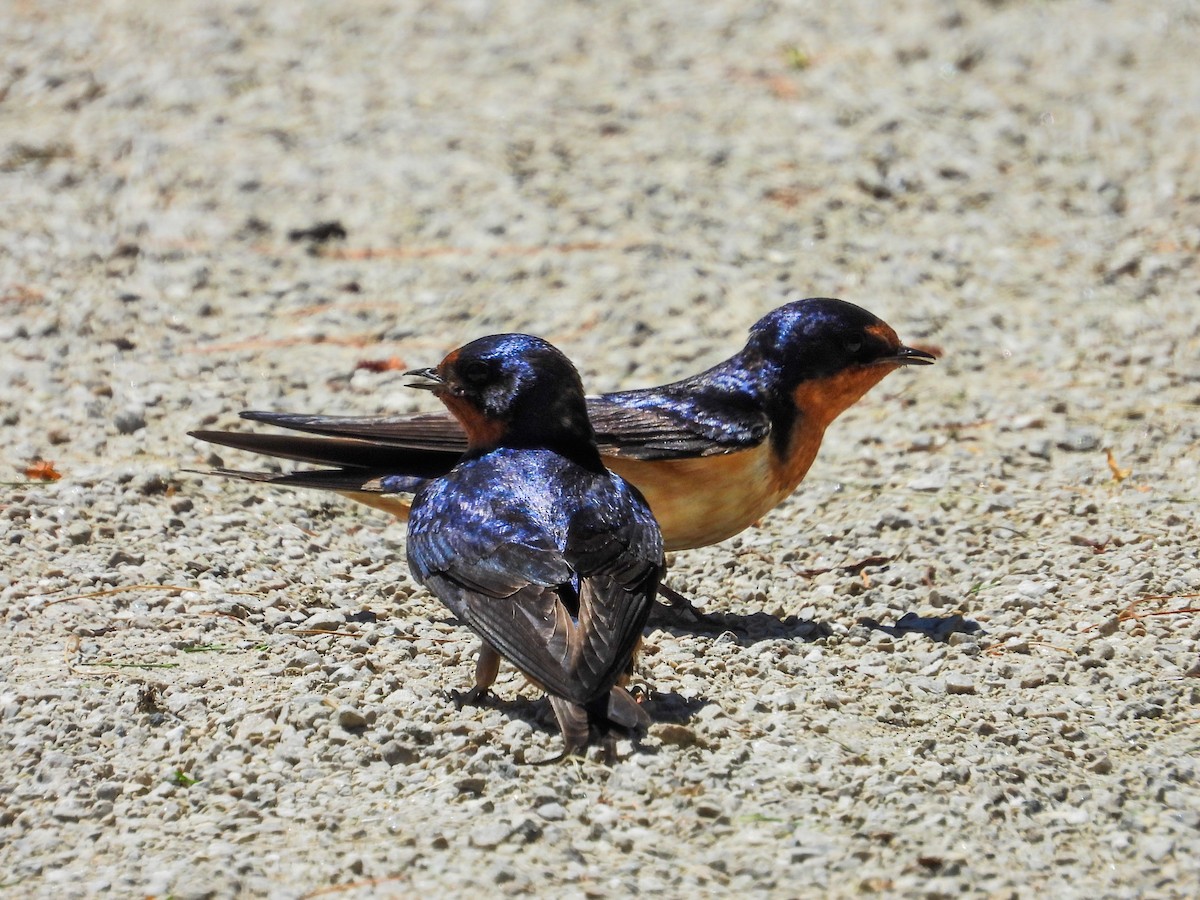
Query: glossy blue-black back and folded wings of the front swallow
x,y
544,579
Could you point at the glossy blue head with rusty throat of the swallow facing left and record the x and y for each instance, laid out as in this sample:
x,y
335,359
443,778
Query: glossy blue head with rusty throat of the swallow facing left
x,y
512,391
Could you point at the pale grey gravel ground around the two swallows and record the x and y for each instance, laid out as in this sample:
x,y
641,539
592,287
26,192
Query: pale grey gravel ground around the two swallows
x,y
1015,183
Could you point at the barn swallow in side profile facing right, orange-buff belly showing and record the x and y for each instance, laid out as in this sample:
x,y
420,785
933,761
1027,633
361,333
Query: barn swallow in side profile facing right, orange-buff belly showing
x,y
712,454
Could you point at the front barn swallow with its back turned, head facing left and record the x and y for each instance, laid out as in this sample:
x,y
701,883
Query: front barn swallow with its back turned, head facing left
x,y
530,541
